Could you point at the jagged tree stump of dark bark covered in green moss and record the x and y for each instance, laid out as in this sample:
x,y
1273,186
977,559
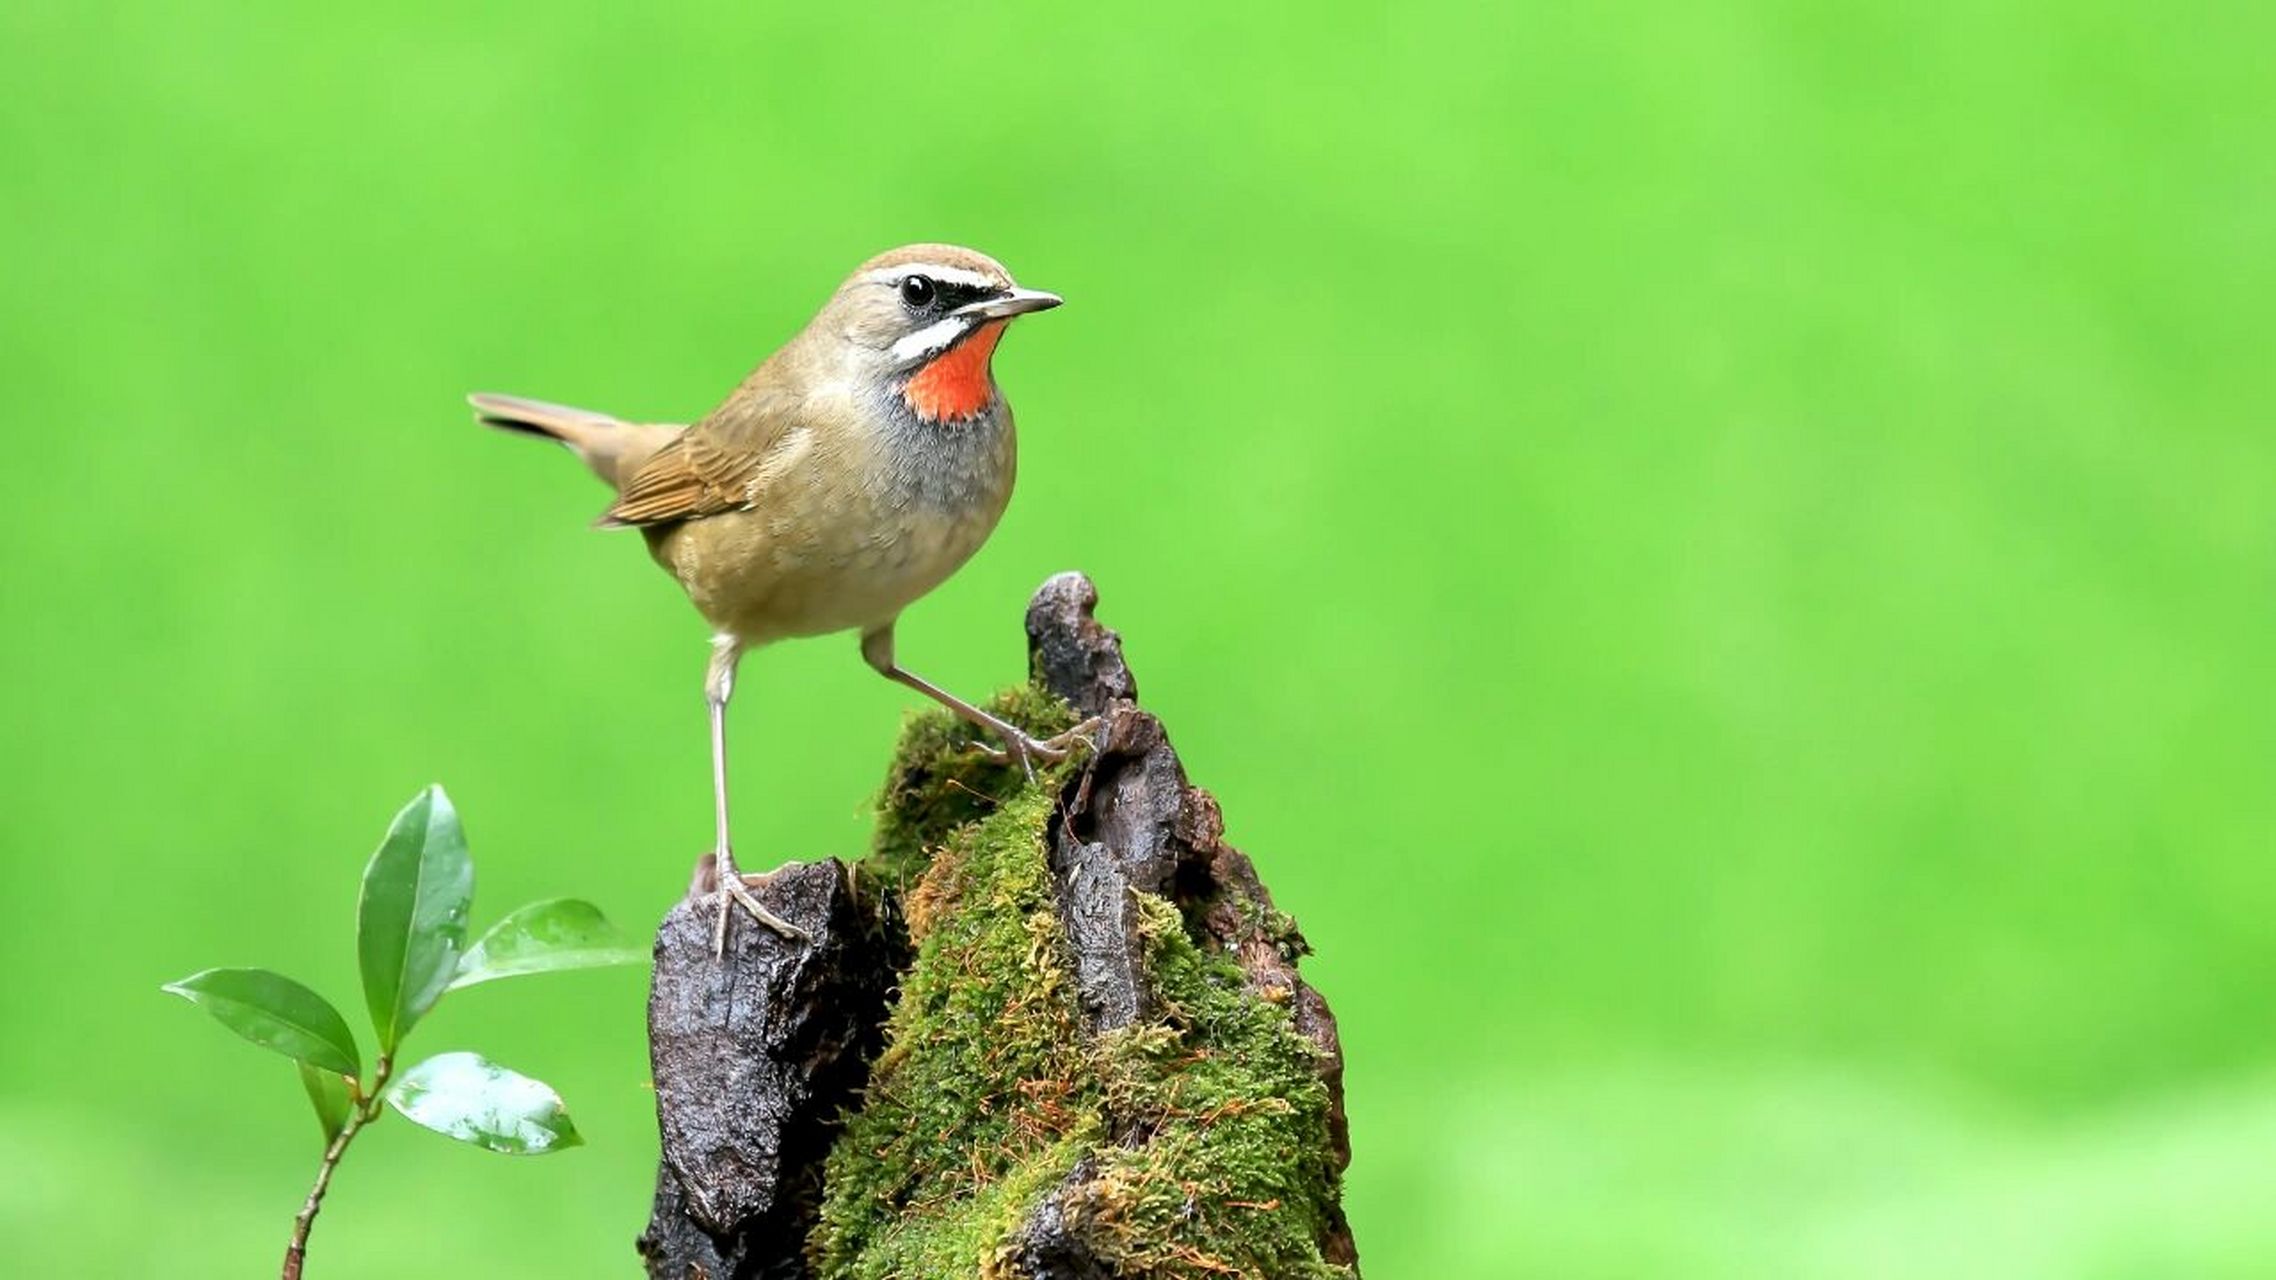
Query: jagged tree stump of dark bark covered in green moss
x,y
1048,1028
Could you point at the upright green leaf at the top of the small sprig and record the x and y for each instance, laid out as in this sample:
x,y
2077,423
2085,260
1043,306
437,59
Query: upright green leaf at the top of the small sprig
x,y
411,924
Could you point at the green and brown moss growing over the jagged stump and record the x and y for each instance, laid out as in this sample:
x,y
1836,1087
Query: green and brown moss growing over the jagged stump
x,y
1207,1129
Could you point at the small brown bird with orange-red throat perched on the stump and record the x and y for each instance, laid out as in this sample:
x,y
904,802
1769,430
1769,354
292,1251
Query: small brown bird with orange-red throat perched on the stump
x,y
846,477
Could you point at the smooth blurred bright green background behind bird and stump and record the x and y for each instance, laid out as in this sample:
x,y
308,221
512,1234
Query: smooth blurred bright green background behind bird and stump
x,y
1720,557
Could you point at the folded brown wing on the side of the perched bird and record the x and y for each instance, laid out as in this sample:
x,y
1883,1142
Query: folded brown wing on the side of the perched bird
x,y
716,466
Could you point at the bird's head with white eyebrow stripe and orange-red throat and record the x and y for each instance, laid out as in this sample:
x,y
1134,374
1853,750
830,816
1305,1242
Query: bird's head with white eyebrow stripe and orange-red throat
x,y
925,320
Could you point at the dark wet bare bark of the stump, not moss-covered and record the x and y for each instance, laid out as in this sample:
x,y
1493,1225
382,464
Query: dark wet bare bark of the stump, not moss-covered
x,y
761,1053
